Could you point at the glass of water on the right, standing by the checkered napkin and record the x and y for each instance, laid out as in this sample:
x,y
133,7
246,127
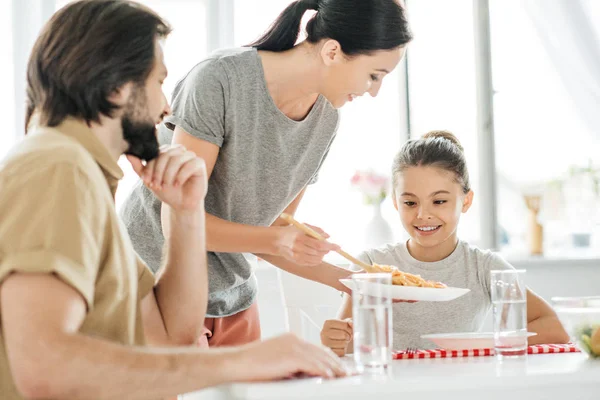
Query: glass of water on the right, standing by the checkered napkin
x,y
509,299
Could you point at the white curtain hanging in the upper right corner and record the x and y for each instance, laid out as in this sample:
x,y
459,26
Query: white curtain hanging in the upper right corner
x,y
568,31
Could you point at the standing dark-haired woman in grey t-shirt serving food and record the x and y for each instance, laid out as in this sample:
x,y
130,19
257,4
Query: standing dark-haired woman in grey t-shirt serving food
x,y
263,118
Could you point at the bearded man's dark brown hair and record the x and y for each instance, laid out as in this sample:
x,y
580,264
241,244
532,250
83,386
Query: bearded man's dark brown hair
x,y
85,52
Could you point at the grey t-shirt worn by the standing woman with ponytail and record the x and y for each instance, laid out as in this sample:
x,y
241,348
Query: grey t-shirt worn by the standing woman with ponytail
x,y
265,160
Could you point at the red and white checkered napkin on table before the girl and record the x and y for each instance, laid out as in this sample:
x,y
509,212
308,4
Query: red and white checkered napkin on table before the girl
x,y
441,353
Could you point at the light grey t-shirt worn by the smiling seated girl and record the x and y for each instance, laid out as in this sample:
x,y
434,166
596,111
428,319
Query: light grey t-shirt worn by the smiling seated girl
x,y
467,267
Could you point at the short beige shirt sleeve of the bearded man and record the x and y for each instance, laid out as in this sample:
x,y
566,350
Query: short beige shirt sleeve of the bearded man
x,y
50,222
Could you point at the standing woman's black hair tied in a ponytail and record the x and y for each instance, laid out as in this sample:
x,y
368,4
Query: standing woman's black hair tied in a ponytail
x,y
360,26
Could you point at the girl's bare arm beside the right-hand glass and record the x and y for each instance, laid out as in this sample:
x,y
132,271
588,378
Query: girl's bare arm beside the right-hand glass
x,y
542,320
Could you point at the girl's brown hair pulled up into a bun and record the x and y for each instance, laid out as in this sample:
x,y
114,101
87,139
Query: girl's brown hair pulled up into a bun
x,y
440,149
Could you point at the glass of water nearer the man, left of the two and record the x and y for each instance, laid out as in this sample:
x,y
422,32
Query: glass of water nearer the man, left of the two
x,y
372,320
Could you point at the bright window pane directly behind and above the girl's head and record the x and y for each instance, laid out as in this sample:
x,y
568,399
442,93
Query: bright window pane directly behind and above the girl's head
x,y
441,83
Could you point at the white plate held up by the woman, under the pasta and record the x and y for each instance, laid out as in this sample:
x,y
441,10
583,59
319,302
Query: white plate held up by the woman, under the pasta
x,y
411,292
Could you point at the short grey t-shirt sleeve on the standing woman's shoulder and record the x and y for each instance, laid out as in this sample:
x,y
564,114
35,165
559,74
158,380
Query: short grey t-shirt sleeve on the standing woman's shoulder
x,y
199,102
